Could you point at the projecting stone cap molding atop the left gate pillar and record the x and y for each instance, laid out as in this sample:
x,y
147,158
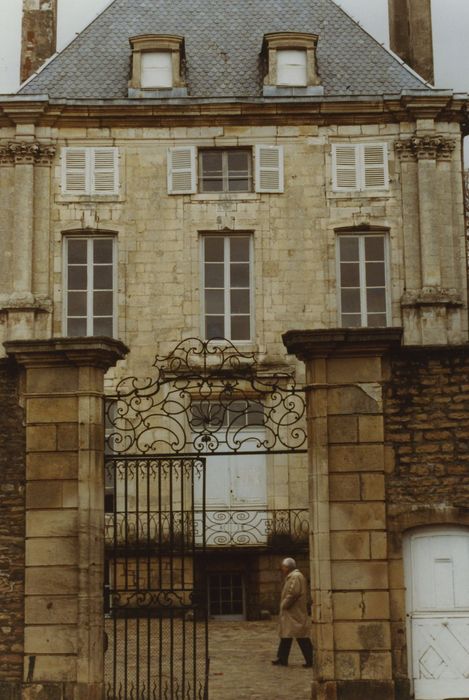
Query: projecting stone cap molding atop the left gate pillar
x,y
93,351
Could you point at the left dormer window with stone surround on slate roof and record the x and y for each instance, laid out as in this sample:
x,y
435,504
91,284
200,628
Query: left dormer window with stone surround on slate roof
x,y
157,63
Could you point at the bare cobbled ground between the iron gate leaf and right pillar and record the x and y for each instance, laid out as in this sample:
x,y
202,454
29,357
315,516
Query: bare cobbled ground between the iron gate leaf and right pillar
x,y
241,669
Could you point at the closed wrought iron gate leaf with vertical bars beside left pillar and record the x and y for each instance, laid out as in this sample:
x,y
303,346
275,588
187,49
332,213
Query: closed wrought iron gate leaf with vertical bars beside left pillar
x,y
156,617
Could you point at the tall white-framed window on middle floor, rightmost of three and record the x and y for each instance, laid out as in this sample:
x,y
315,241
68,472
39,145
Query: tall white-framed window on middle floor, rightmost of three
x,y
363,279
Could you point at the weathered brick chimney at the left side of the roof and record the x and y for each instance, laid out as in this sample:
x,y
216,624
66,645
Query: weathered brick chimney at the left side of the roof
x,y
38,35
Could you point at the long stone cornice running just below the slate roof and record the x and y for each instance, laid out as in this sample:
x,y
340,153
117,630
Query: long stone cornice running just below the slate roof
x,y
251,111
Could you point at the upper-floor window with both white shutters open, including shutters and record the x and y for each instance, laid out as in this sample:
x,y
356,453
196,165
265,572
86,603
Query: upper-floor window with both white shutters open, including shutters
x,y
222,170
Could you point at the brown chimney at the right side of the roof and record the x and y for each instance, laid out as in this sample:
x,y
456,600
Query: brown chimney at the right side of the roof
x,y
410,30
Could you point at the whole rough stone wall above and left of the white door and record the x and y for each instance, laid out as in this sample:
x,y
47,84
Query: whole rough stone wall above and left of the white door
x,y
426,405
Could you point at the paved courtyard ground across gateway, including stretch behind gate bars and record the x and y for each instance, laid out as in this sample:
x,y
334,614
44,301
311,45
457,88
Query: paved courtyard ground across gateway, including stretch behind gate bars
x,y
240,662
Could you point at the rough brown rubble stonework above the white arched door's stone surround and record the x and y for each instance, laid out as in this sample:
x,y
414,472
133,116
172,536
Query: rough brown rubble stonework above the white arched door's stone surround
x,y
426,408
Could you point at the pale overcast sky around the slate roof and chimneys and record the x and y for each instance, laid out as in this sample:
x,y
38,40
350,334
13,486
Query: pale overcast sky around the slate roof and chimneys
x,y
450,28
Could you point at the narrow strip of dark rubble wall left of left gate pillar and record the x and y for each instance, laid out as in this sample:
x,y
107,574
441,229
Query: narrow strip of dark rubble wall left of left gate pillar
x,y
12,526
